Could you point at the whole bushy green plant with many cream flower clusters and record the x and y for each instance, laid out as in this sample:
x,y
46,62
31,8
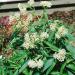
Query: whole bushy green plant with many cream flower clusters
x,y
37,45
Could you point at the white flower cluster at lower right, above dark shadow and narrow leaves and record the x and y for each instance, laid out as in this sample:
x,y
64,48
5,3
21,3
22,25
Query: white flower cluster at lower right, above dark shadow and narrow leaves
x,y
60,55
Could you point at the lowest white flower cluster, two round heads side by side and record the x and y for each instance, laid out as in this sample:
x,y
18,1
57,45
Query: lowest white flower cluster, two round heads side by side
x,y
35,63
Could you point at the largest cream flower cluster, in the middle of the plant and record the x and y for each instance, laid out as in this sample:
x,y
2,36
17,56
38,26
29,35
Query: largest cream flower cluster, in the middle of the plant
x,y
30,40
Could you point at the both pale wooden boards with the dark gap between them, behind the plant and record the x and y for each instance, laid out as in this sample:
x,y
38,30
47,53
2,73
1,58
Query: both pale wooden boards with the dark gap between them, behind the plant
x,y
57,5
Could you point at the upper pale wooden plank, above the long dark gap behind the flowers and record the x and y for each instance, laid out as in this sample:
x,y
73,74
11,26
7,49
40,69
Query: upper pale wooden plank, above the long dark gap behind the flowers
x,y
57,2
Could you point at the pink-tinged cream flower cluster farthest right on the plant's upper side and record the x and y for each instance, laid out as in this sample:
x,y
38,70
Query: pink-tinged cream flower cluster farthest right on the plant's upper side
x,y
62,31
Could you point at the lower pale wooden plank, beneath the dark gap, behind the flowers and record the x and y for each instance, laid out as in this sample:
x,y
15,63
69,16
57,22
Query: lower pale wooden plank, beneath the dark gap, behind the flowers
x,y
39,12
